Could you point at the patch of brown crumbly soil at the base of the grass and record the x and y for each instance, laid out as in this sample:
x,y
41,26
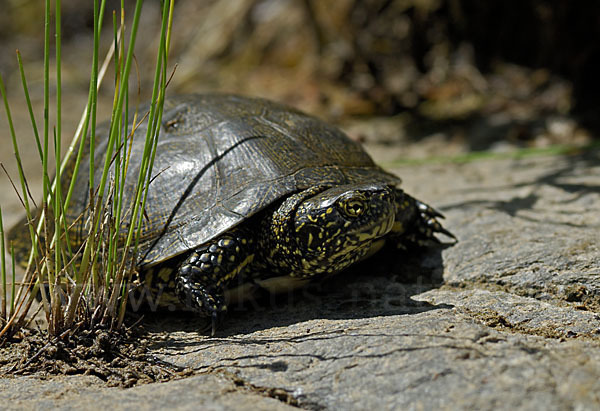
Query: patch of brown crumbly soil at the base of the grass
x,y
118,359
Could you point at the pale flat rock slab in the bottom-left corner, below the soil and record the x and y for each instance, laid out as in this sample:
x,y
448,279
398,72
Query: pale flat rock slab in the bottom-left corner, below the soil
x,y
207,392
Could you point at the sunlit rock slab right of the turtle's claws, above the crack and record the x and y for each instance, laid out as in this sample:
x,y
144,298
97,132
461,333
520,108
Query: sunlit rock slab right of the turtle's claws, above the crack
x,y
531,226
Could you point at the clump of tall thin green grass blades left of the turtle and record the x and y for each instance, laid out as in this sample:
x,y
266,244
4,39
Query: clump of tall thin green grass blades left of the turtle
x,y
82,281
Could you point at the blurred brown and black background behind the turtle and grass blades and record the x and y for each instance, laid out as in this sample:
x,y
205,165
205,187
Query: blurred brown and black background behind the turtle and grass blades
x,y
411,78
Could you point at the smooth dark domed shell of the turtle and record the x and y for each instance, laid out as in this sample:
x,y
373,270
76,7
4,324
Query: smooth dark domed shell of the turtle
x,y
221,159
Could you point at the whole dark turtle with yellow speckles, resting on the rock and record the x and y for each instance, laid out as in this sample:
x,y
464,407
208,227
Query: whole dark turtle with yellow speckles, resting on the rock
x,y
251,193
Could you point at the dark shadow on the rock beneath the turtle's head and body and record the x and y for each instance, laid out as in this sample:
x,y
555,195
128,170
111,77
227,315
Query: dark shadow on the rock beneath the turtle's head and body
x,y
380,286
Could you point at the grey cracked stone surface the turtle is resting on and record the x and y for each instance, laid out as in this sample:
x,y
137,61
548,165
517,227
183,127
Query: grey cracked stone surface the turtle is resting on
x,y
506,318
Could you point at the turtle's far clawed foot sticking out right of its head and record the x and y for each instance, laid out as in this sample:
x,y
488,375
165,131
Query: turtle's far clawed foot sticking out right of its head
x,y
416,223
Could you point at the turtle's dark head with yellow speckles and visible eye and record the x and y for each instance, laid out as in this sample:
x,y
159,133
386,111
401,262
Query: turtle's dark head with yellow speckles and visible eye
x,y
337,226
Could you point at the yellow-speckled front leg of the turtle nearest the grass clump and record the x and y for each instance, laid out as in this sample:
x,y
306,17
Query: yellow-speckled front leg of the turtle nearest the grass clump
x,y
203,276
